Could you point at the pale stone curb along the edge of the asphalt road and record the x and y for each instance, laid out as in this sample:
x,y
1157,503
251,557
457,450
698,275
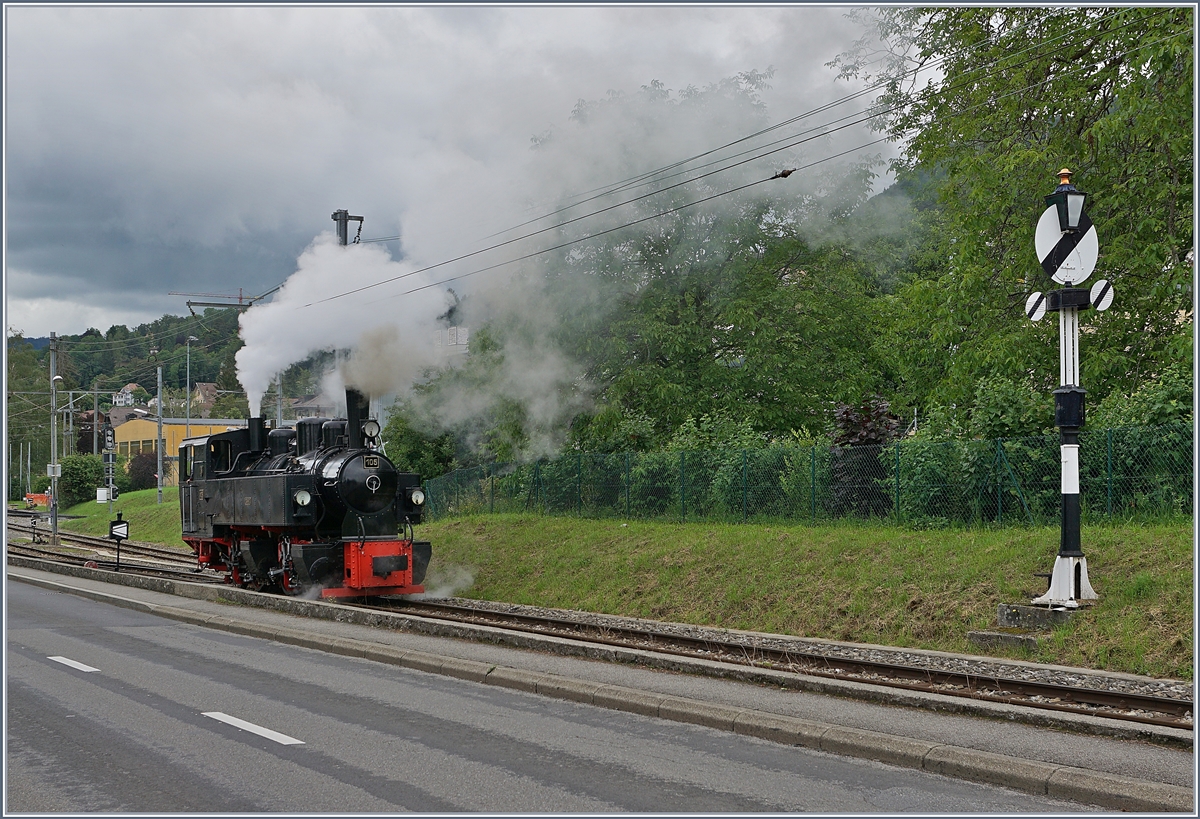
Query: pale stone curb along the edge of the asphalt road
x,y
1043,779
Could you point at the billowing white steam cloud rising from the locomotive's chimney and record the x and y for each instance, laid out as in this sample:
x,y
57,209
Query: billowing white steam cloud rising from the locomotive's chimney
x,y
393,331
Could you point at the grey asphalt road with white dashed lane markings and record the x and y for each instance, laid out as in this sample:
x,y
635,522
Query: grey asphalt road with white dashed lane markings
x,y
149,731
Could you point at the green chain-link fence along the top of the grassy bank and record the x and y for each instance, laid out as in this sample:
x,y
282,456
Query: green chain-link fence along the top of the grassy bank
x,y
1137,471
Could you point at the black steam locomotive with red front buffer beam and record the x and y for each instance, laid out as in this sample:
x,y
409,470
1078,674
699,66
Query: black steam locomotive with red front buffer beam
x,y
305,511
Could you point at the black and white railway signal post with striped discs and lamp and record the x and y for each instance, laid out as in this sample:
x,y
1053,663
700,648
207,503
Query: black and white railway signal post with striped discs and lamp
x,y
1069,249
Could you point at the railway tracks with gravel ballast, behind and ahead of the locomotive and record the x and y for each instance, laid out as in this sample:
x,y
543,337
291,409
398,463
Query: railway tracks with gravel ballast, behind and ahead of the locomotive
x,y
981,679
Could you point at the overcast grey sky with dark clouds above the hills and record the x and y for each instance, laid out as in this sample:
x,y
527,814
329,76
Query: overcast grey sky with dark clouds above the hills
x,y
203,150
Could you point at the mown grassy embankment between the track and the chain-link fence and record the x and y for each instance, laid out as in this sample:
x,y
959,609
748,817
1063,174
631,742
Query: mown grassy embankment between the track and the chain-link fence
x,y
869,584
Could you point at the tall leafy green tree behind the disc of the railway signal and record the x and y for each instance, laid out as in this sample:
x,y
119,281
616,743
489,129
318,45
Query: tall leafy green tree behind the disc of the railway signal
x,y
1025,92
